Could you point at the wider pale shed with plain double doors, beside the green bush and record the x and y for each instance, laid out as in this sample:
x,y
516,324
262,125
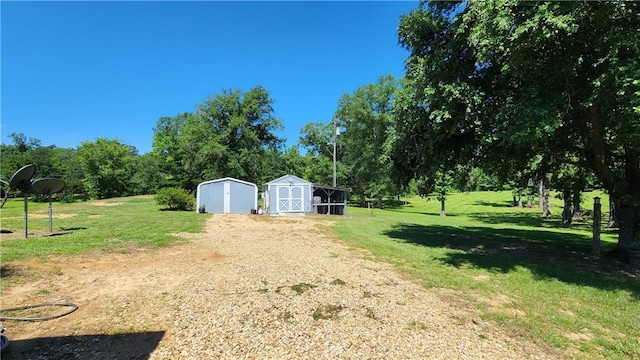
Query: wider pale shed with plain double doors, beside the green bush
x,y
227,196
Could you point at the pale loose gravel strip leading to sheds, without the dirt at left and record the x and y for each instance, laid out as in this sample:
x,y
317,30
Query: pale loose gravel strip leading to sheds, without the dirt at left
x,y
287,290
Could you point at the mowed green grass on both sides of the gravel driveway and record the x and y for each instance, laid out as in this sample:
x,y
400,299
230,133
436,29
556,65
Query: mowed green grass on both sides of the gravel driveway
x,y
533,276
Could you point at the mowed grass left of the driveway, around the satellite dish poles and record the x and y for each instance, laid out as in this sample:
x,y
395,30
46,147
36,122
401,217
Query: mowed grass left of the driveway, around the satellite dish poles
x,y
116,225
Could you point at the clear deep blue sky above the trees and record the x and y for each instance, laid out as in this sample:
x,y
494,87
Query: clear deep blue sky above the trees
x,y
76,71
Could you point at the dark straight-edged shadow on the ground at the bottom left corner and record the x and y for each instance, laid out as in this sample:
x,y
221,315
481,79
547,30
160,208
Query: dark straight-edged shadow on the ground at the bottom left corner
x,y
89,347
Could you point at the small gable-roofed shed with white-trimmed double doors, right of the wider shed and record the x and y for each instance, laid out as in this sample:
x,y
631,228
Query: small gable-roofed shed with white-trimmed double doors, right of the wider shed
x,y
288,194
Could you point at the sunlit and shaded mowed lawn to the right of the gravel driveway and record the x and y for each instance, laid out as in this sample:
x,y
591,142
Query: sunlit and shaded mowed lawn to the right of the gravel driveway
x,y
531,275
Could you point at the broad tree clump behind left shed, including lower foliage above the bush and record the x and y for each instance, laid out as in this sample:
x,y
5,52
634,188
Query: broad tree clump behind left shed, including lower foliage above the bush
x,y
229,134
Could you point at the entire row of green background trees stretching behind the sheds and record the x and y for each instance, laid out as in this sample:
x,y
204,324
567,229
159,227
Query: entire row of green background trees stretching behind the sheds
x,y
233,134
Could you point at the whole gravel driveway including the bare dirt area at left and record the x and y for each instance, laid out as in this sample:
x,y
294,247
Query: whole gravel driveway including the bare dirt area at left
x,y
250,287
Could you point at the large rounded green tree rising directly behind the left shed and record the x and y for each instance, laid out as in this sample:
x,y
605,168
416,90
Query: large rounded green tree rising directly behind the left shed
x,y
229,135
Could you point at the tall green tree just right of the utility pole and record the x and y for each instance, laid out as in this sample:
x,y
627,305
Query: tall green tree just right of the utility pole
x,y
366,115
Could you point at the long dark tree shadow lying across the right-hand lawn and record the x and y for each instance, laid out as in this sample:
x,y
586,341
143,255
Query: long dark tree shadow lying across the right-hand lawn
x,y
548,254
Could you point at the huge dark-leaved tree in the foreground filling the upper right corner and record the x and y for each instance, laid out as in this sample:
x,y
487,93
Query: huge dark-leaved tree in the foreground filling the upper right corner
x,y
514,79
